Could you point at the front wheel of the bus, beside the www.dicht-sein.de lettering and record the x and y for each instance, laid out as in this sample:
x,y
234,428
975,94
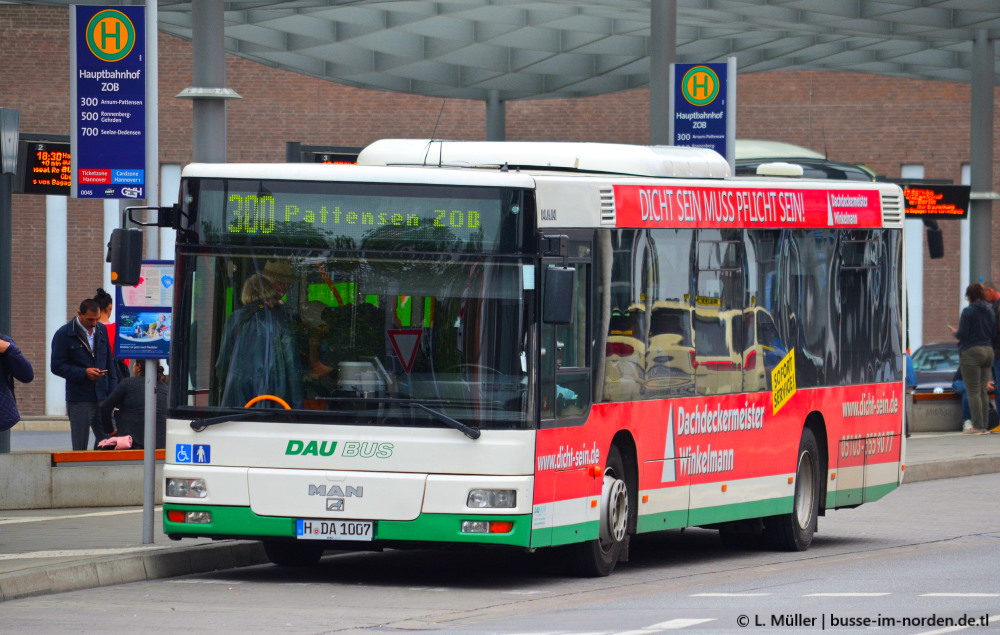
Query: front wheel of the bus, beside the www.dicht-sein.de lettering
x,y
598,557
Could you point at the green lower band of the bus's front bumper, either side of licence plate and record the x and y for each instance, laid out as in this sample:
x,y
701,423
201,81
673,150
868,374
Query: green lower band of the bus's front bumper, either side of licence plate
x,y
242,522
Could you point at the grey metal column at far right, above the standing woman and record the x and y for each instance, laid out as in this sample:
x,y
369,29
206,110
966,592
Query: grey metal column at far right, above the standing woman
x,y
981,155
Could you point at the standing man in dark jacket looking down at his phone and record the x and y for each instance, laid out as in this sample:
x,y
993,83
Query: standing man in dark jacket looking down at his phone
x,y
81,354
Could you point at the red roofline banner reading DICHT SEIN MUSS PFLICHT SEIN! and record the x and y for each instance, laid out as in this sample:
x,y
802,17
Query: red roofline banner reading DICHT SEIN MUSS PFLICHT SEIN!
x,y
741,207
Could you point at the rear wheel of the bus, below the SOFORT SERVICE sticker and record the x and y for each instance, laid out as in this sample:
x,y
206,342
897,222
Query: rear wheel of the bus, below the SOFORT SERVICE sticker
x,y
794,531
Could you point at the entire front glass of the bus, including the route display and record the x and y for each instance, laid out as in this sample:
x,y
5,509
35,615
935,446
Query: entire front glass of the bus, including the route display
x,y
353,303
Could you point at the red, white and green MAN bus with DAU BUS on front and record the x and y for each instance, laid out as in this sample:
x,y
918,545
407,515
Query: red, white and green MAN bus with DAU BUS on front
x,y
529,345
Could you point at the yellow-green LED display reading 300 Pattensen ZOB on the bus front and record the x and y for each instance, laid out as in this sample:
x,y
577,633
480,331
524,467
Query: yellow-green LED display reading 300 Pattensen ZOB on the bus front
x,y
442,219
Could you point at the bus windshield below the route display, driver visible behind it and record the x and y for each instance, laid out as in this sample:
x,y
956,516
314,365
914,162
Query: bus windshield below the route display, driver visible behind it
x,y
359,339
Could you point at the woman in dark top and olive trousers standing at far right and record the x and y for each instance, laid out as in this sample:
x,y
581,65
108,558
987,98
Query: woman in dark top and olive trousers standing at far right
x,y
976,329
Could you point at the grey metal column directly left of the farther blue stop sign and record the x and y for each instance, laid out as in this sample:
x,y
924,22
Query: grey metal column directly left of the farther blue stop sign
x,y
662,53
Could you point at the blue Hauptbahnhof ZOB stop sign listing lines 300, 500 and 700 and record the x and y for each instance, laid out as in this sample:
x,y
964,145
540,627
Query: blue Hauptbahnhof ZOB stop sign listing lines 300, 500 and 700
x,y
108,101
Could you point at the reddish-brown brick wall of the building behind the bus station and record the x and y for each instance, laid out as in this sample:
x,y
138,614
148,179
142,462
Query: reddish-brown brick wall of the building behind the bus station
x,y
882,122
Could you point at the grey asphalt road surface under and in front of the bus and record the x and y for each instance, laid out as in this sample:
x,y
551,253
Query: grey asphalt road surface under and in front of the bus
x,y
926,554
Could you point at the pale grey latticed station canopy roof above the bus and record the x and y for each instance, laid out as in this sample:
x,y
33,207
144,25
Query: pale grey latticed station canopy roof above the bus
x,y
529,49
